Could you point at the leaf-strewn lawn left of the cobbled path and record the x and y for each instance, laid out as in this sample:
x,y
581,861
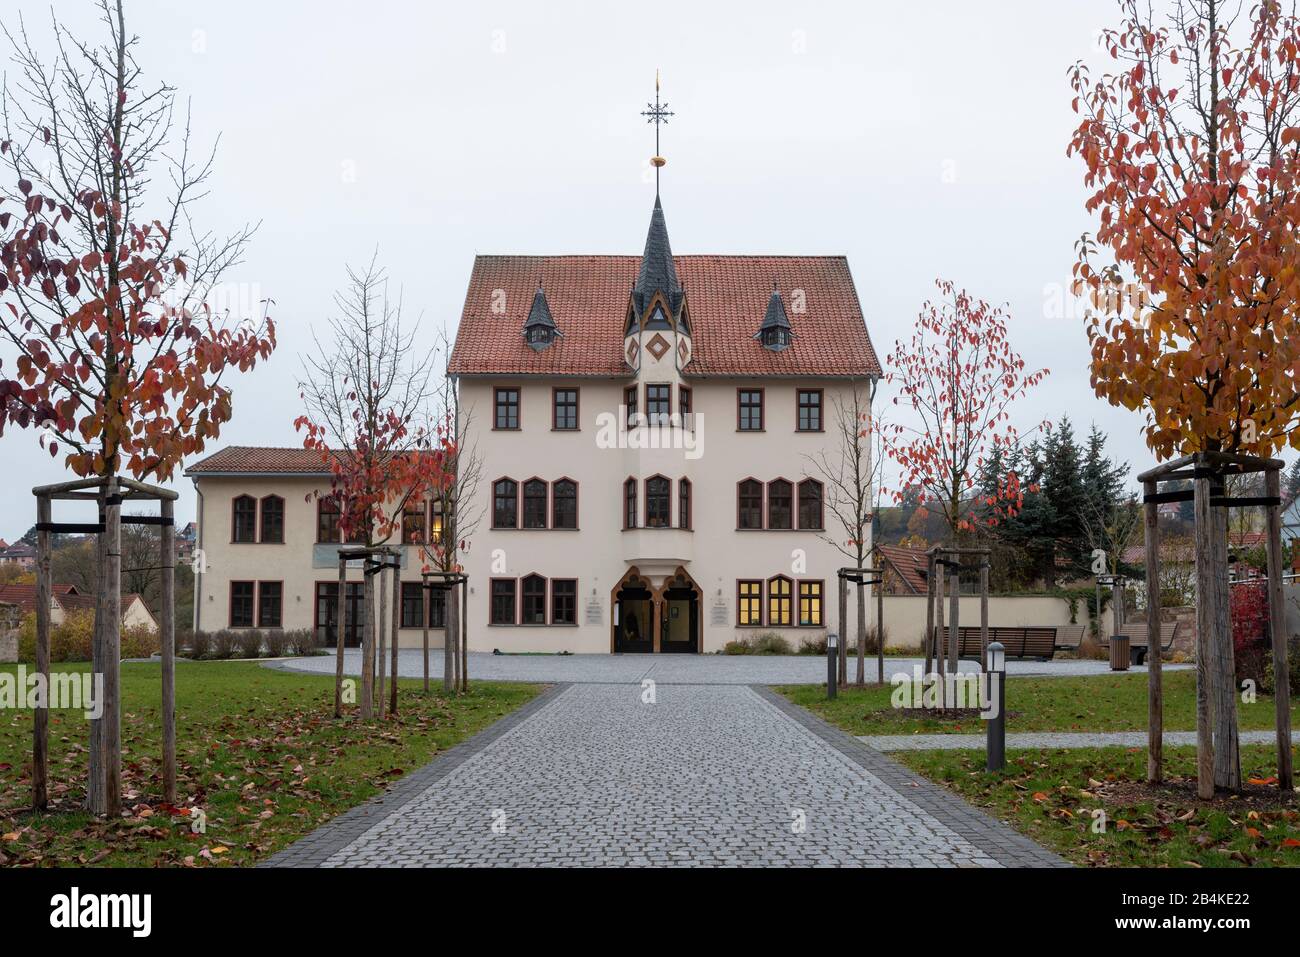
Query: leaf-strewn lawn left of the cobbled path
x,y
258,751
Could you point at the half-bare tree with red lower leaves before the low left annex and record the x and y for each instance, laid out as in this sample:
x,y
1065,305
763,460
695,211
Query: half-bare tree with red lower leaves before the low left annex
x,y
370,399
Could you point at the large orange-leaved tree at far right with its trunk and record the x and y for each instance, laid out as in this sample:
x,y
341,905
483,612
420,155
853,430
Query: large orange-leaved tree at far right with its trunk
x,y
1190,145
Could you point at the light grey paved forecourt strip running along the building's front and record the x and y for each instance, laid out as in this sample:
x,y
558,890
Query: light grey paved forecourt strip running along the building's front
x,y
671,669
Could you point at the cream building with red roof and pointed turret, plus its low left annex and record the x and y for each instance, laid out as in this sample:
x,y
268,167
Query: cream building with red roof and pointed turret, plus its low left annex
x,y
645,428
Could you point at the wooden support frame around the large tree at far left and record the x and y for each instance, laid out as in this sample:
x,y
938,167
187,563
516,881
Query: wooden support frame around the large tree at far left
x,y
105,781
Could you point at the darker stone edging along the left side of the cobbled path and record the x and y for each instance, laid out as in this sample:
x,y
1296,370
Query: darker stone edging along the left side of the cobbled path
x,y
327,841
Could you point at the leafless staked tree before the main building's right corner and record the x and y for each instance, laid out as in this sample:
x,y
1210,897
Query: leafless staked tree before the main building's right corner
x,y
850,470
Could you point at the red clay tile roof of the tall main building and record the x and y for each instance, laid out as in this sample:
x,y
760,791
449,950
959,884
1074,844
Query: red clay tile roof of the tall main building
x,y
726,298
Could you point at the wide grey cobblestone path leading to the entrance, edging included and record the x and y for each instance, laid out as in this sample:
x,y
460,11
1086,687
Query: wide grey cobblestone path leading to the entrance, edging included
x,y
704,776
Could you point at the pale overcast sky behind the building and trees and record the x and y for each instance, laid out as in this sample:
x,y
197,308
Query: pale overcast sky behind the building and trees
x,y
920,140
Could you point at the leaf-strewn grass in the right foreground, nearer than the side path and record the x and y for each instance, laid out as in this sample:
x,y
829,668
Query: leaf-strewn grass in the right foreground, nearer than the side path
x,y
1052,795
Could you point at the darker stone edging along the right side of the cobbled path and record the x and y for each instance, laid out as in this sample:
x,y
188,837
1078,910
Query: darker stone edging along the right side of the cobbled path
x,y
1000,842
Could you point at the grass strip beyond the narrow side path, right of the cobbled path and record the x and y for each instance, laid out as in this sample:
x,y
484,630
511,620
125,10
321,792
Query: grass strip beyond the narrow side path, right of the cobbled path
x,y
1103,703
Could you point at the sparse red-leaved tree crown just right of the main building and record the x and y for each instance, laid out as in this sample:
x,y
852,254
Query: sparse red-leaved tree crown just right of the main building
x,y
960,376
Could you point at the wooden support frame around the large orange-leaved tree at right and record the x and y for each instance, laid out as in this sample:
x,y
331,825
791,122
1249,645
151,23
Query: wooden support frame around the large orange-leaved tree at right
x,y
1217,760
